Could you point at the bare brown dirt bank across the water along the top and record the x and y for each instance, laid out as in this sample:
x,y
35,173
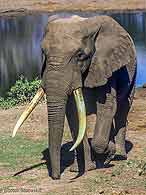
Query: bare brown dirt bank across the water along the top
x,y
8,7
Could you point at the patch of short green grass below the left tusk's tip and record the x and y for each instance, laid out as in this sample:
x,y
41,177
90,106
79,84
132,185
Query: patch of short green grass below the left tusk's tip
x,y
20,151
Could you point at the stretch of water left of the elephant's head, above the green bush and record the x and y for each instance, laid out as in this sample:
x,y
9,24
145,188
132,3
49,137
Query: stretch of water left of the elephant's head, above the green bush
x,y
20,48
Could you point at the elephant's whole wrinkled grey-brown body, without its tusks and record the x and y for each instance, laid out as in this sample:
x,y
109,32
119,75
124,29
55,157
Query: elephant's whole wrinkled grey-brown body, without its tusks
x,y
98,55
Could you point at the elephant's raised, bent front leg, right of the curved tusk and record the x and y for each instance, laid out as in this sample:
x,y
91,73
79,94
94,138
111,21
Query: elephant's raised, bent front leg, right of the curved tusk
x,y
106,109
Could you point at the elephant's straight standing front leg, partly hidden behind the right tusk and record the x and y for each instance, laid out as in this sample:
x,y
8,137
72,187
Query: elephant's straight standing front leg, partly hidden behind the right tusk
x,y
82,160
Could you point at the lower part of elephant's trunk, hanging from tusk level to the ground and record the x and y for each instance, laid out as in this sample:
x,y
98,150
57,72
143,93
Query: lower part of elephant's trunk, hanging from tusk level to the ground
x,y
56,115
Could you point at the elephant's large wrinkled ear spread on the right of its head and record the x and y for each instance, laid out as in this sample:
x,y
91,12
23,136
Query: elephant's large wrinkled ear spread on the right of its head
x,y
112,51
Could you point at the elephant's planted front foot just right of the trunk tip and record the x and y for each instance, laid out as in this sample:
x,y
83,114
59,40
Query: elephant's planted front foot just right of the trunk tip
x,y
90,166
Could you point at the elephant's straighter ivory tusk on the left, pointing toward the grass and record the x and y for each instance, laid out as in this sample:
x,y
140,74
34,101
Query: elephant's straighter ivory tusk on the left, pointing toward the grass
x,y
26,113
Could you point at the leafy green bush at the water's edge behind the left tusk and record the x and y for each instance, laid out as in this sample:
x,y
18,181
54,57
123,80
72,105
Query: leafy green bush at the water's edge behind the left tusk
x,y
22,92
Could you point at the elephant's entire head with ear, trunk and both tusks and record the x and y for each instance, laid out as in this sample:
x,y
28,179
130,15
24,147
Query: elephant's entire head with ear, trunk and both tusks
x,y
76,53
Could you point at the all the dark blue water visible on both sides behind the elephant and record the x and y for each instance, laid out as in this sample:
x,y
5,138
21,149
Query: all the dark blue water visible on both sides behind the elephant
x,y
20,52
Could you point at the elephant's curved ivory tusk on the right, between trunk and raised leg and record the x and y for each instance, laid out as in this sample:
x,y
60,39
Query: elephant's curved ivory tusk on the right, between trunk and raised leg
x,y
82,116
